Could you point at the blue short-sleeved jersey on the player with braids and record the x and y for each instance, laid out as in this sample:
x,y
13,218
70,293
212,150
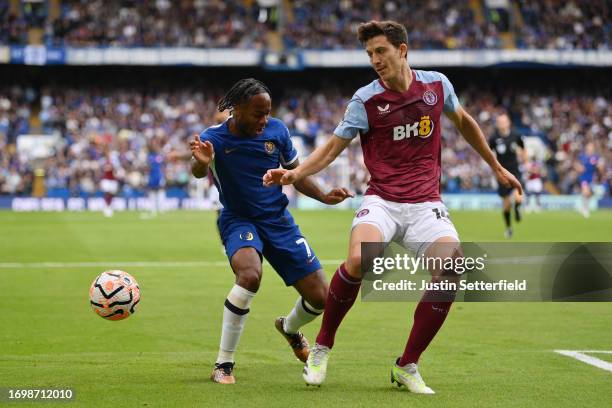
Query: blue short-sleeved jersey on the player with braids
x,y
240,163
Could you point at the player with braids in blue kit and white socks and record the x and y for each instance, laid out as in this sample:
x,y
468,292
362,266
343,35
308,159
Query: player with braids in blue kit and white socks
x,y
254,221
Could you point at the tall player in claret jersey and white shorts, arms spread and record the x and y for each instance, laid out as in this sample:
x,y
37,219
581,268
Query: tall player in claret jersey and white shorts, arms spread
x,y
398,120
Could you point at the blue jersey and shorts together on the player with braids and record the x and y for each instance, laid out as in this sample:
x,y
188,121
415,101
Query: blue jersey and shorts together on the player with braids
x,y
254,215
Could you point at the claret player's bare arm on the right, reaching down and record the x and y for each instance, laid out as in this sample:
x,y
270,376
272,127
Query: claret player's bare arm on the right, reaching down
x,y
472,133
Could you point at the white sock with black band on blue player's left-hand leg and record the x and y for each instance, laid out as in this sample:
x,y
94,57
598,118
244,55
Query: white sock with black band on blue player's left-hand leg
x,y
235,313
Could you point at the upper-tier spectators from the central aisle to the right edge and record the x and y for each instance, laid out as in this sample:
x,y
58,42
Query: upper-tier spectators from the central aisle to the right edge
x,y
447,24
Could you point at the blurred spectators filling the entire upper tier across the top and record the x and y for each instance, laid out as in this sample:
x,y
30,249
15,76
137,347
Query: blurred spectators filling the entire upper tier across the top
x,y
437,24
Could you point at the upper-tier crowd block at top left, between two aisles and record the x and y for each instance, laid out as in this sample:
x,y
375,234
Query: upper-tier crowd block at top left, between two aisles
x,y
199,23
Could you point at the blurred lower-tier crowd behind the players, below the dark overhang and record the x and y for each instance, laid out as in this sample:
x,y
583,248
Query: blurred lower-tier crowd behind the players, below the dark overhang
x,y
129,122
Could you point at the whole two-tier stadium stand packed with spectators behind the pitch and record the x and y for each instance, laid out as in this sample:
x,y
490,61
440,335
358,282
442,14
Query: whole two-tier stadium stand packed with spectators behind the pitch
x,y
165,106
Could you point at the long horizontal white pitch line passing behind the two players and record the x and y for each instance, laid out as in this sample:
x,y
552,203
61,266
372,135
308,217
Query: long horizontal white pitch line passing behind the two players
x,y
144,264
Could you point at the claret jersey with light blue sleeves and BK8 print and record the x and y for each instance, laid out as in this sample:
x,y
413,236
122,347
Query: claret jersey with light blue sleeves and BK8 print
x,y
400,135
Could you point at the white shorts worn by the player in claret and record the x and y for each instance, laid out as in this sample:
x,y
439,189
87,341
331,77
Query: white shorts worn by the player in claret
x,y
413,226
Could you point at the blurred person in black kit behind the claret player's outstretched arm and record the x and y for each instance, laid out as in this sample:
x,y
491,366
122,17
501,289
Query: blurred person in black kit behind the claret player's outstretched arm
x,y
508,145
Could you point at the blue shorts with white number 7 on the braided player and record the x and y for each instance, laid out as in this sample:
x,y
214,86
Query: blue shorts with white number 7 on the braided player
x,y
279,240
